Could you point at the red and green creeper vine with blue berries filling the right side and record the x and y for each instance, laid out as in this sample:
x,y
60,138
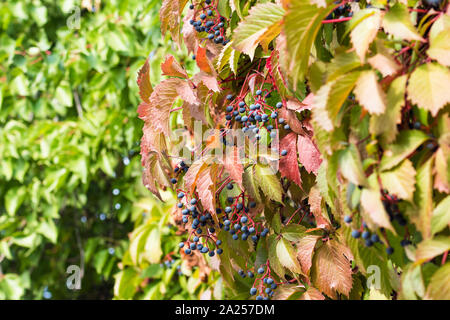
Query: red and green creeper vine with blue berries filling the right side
x,y
356,94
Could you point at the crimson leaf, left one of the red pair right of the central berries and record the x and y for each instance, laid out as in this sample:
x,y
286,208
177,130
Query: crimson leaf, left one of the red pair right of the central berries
x,y
288,164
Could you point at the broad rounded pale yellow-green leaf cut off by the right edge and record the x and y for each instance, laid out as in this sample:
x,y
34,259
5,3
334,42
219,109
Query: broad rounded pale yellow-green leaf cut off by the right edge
x,y
428,87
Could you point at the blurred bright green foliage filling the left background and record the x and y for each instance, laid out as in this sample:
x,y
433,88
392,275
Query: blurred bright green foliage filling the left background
x,y
70,172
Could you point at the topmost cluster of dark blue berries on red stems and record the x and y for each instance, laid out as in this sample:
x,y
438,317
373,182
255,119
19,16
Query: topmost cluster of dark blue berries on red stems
x,y
209,21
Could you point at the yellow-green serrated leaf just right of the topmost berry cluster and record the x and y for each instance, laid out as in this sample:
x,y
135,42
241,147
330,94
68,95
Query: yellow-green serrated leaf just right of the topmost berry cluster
x,y
261,25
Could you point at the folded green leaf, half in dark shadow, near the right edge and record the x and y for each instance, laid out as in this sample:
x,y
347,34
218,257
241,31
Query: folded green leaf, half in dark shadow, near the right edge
x,y
407,142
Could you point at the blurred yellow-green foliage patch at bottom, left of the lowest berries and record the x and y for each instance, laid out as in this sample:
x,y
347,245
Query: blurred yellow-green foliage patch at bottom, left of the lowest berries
x,y
151,263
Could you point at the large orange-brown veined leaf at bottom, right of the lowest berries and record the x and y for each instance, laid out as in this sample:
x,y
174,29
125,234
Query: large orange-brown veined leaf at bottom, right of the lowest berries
x,y
332,271
